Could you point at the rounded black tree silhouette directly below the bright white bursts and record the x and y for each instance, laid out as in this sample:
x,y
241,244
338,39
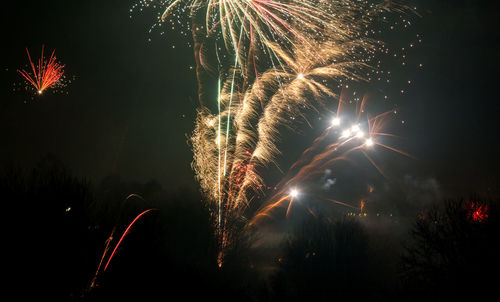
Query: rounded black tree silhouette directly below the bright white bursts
x,y
326,260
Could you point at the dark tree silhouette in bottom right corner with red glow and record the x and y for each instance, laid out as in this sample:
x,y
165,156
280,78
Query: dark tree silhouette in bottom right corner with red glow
x,y
452,252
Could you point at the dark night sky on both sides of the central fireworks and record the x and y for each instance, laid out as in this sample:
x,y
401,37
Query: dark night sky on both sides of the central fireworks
x,y
133,101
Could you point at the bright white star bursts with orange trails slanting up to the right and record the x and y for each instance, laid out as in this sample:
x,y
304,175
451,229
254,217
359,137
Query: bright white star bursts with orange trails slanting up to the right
x,y
343,137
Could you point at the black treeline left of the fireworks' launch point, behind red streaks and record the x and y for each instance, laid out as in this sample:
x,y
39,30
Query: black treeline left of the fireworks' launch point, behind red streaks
x,y
56,227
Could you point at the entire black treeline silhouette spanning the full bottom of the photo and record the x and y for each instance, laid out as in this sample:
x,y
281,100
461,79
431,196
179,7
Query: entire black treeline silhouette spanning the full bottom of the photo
x,y
56,227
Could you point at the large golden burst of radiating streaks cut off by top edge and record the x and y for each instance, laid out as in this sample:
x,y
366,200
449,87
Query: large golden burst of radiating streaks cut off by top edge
x,y
289,23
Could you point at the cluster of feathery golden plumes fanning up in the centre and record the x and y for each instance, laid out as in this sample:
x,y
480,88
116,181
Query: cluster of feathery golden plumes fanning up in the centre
x,y
275,100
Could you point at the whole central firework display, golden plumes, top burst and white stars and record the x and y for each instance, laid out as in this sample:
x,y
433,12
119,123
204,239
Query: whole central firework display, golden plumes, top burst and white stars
x,y
275,62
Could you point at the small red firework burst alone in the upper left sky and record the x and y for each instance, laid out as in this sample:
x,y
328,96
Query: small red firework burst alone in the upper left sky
x,y
44,75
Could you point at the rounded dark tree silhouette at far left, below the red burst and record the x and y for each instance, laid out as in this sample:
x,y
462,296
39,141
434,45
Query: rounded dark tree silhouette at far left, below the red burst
x,y
48,243
